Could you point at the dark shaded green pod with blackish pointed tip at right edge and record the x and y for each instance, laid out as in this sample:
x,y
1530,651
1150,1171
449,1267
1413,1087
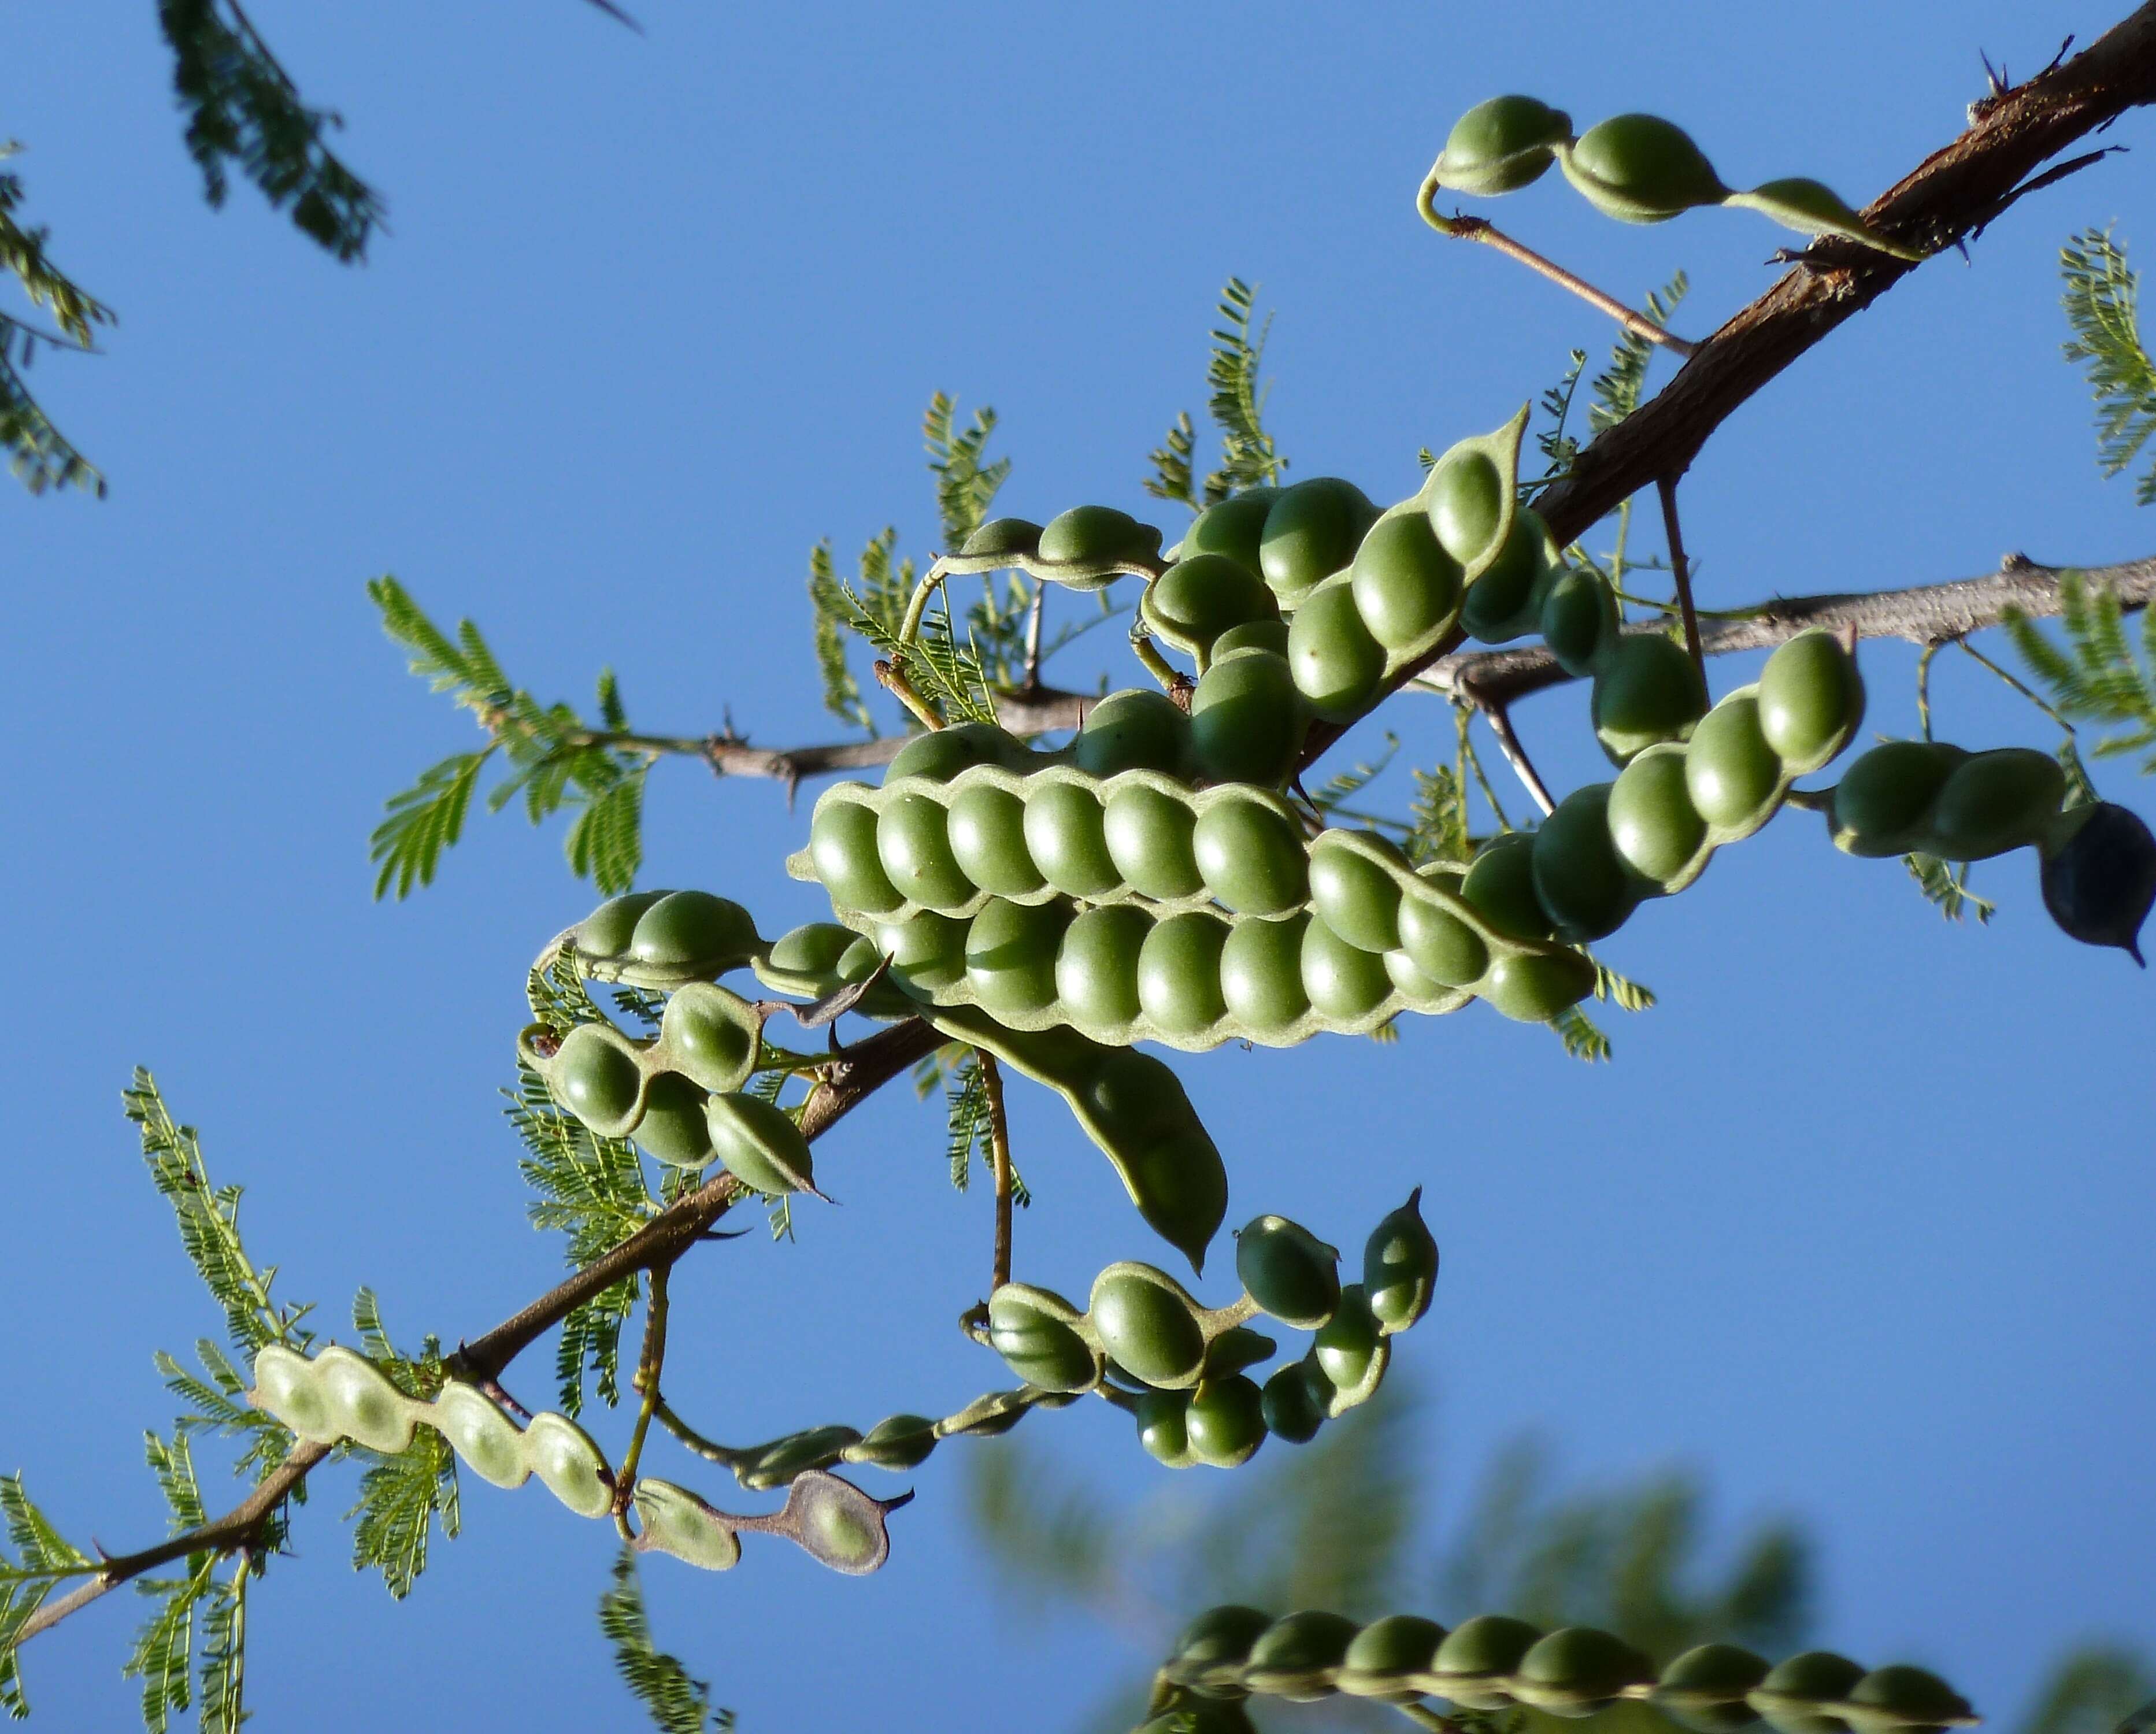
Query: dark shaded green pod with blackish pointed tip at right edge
x,y
2099,862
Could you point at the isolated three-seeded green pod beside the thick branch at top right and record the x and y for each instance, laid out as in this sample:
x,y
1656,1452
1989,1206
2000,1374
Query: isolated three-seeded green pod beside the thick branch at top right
x,y
1631,167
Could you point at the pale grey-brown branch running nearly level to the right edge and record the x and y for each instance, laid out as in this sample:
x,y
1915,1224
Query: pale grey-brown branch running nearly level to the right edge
x,y
1924,616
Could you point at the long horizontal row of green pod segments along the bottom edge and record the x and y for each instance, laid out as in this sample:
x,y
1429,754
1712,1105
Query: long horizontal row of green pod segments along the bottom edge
x,y
1495,1662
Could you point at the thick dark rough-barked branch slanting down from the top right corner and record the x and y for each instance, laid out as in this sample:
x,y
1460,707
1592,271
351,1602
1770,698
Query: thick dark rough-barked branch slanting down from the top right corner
x,y
1946,199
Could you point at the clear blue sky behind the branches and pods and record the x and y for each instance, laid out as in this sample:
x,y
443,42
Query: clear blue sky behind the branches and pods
x,y
1857,1222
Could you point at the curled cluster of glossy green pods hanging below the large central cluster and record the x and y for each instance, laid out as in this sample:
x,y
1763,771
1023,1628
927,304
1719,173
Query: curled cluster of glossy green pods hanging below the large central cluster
x,y
1196,1403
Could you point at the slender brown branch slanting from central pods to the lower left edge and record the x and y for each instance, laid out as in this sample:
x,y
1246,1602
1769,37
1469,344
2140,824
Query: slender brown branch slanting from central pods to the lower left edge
x,y
851,1079
